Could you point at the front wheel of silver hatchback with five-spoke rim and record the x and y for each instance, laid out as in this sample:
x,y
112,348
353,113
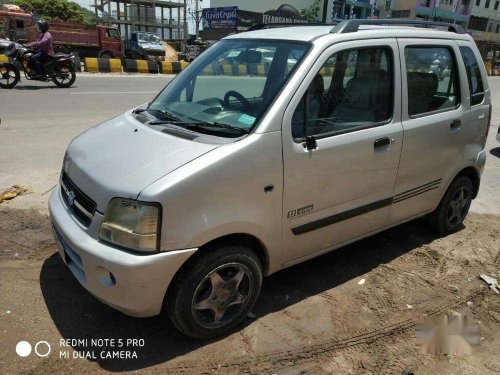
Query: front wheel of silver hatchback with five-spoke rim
x,y
209,287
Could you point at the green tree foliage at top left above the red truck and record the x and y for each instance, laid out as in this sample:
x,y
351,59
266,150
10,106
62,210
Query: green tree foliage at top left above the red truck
x,y
63,10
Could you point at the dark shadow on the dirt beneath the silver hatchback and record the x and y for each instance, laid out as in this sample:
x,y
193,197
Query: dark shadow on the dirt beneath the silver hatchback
x,y
78,315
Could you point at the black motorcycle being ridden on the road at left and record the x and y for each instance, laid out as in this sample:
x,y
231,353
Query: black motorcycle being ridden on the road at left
x,y
60,69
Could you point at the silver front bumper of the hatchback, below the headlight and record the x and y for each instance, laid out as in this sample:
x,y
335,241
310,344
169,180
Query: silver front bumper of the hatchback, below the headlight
x,y
131,283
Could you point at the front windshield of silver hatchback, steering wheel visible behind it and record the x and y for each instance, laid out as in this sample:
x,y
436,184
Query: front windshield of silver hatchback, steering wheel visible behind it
x,y
231,85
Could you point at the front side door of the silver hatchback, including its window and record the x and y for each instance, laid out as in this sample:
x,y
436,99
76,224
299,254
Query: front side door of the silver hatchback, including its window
x,y
342,139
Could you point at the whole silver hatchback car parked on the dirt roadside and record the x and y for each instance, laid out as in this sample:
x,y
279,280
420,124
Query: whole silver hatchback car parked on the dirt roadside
x,y
238,169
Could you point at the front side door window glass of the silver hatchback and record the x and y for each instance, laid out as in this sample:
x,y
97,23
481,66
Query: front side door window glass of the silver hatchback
x,y
352,90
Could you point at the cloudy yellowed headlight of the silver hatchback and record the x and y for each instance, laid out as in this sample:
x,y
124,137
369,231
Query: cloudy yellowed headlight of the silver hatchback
x,y
132,224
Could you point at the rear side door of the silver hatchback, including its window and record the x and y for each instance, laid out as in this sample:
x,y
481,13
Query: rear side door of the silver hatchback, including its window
x,y
433,115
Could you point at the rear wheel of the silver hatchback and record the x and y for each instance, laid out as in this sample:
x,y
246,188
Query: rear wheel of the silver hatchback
x,y
453,208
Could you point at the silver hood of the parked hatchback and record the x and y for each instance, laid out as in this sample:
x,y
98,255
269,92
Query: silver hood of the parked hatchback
x,y
121,157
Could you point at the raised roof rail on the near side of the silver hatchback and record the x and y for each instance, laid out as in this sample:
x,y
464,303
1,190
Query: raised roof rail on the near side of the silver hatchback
x,y
351,26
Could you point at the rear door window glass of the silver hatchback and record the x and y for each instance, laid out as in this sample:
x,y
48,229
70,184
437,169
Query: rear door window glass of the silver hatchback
x,y
432,79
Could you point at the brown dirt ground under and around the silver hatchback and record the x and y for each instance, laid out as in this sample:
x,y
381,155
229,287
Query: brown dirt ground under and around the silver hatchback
x,y
313,318
